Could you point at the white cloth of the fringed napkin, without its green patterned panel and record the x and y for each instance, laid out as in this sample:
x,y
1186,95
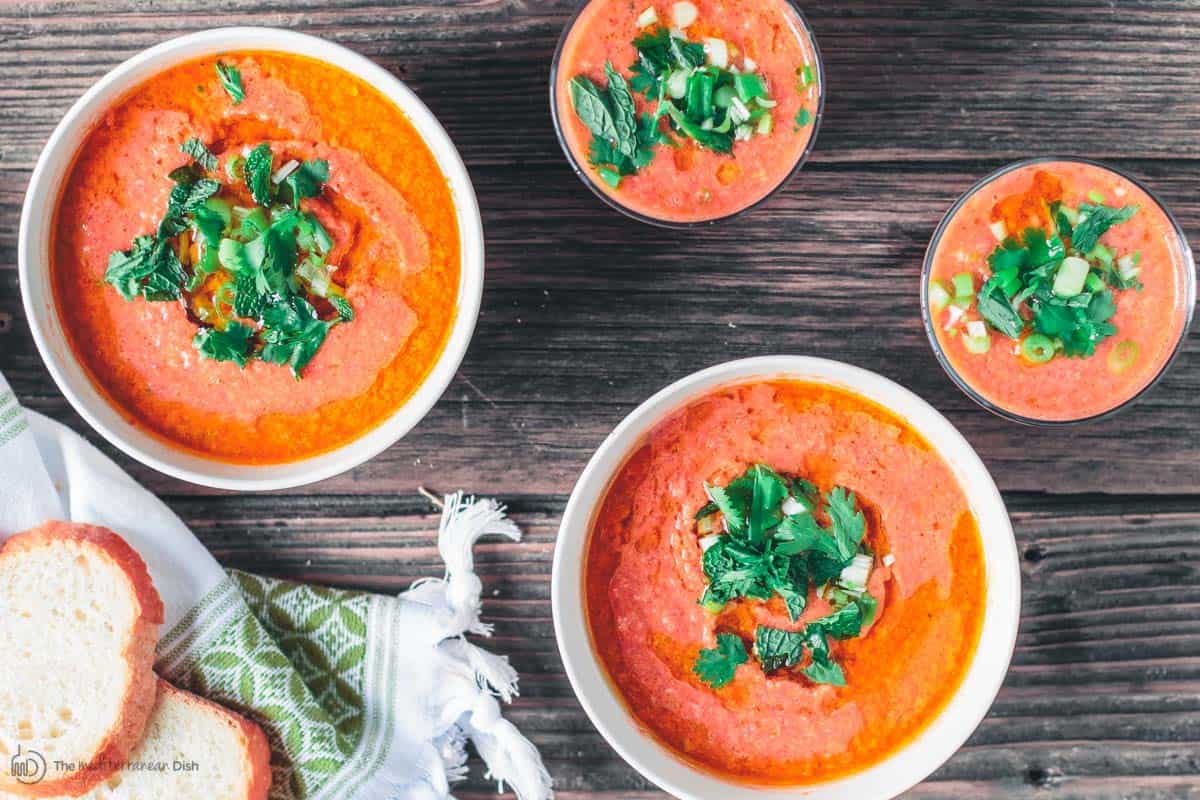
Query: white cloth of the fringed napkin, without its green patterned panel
x,y
443,691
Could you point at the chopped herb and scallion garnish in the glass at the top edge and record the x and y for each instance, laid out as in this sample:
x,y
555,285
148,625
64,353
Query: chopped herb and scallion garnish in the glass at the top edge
x,y
691,95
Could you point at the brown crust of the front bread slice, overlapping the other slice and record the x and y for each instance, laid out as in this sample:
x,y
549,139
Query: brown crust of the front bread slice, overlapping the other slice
x,y
139,655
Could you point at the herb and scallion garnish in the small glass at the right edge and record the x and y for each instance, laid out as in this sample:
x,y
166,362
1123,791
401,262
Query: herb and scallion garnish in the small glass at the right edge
x,y
1052,288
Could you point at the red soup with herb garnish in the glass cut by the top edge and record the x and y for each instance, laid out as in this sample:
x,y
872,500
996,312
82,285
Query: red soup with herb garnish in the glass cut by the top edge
x,y
743,93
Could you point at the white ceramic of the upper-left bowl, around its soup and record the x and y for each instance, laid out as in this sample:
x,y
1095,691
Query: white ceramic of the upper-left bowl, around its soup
x,y
40,309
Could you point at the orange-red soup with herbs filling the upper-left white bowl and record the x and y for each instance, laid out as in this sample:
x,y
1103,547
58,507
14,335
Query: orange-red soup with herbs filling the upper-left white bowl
x,y
256,257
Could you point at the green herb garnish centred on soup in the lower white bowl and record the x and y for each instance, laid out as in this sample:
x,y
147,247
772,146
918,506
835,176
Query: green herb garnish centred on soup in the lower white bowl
x,y
773,545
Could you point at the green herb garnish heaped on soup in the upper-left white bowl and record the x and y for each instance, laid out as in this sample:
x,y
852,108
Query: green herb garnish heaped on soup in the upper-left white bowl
x,y
253,278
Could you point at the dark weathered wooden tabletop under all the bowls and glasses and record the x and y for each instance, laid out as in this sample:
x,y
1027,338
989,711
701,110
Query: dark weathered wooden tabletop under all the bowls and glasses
x,y
587,314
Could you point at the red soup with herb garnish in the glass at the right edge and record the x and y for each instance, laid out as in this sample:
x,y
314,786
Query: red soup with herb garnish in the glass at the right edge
x,y
1059,291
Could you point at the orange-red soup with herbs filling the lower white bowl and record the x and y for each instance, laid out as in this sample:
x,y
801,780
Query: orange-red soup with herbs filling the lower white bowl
x,y
785,582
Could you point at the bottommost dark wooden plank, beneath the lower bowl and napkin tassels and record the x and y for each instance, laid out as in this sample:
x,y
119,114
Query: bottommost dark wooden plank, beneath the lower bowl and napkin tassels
x,y
1103,700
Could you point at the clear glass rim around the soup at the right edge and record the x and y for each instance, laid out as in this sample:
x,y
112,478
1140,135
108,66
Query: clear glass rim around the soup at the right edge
x,y
1190,273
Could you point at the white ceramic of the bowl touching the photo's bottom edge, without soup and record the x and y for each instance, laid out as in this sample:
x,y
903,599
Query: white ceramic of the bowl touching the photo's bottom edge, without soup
x,y
905,768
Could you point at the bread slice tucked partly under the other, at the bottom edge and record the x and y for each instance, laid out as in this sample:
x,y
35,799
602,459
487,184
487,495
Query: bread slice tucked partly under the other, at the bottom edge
x,y
194,750
